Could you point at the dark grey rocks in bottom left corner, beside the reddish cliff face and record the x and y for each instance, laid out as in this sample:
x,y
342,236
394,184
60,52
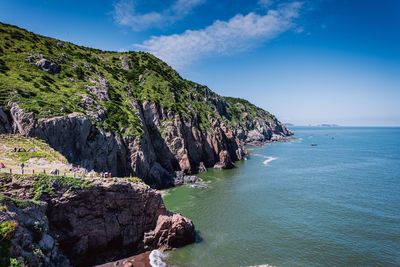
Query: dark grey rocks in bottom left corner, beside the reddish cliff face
x,y
31,241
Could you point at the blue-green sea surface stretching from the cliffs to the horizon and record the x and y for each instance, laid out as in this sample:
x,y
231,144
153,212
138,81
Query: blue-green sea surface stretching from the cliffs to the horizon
x,y
293,204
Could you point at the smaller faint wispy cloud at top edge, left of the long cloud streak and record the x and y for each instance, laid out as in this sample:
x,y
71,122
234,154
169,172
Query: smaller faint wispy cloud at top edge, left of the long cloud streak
x,y
125,13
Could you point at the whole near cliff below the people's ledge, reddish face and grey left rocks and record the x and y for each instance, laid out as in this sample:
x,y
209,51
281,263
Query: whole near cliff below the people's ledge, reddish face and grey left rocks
x,y
60,221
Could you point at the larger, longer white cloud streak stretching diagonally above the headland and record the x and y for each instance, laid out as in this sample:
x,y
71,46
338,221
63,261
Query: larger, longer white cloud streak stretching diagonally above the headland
x,y
222,37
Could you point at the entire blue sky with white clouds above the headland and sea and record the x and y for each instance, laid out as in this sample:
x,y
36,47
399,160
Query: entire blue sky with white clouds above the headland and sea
x,y
307,62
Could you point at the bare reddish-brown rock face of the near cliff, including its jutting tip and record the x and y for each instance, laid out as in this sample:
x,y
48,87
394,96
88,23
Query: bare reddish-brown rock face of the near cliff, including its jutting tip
x,y
113,220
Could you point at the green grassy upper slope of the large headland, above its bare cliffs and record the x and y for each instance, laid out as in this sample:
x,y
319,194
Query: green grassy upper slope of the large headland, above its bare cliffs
x,y
148,79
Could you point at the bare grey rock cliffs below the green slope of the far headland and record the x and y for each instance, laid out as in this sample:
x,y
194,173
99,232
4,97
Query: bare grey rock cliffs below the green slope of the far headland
x,y
171,143
